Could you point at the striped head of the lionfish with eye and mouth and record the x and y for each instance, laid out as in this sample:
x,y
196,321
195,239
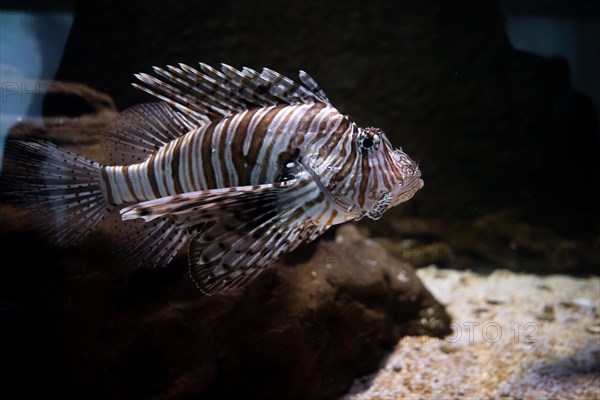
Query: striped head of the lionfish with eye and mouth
x,y
375,177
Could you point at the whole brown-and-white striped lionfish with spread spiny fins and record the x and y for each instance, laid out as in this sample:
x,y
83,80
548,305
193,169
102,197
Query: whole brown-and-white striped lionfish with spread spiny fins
x,y
242,165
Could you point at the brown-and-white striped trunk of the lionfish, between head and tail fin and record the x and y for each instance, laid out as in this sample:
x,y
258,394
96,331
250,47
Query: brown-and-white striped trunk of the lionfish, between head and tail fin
x,y
249,148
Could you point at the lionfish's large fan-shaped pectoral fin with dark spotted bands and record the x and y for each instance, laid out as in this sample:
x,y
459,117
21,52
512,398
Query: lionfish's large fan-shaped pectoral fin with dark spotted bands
x,y
240,230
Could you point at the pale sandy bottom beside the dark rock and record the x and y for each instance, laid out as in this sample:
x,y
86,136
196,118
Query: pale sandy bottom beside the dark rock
x,y
516,336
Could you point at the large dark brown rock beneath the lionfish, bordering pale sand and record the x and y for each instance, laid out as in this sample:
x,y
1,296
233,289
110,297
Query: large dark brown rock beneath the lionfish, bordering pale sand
x,y
304,329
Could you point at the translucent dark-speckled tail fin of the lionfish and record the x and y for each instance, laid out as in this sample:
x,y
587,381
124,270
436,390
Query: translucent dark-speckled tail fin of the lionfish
x,y
62,188
